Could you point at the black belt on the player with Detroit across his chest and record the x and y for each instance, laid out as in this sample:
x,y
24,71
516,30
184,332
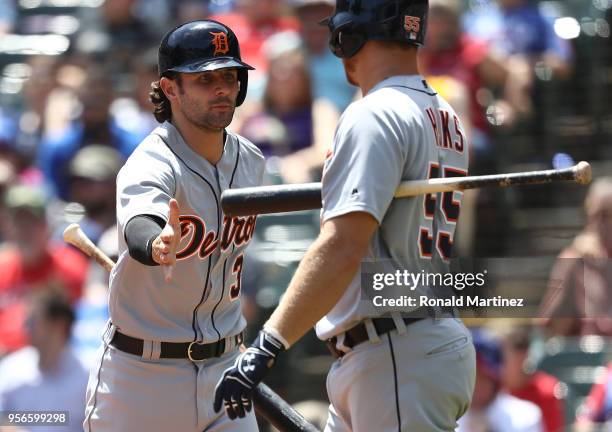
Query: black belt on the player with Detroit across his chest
x,y
194,351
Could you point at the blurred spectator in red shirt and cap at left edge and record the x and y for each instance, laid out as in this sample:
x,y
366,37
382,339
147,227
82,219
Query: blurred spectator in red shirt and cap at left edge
x,y
30,262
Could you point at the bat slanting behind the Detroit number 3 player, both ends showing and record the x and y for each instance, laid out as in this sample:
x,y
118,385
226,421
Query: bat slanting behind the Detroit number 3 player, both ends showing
x,y
267,403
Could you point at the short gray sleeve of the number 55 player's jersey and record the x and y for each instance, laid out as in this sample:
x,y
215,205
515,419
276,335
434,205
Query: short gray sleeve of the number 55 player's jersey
x,y
365,167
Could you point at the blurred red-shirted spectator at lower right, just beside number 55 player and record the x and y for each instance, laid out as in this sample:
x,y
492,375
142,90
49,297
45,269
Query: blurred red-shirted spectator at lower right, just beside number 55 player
x,y
522,381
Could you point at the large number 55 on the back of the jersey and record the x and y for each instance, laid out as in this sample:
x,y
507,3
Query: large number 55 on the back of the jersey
x,y
449,208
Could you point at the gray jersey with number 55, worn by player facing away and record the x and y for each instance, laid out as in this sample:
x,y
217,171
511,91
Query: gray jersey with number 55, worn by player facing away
x,y
401,130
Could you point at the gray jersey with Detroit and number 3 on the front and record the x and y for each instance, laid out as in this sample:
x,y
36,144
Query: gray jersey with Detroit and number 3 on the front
x,y
202,301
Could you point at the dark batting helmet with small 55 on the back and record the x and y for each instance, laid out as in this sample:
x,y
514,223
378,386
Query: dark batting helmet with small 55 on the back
x,y
356,21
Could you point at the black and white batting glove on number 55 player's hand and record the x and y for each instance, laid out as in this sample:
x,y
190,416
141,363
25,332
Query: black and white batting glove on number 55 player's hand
x,y
235,388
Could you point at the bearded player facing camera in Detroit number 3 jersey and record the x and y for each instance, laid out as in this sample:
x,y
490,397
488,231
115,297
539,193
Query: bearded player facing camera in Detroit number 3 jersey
x,y
175,314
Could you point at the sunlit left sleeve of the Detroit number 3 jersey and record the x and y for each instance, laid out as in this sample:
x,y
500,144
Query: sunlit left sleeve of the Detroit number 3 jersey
x,y
145,185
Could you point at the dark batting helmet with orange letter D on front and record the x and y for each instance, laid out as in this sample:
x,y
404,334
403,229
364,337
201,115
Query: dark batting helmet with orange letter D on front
x,y
200,46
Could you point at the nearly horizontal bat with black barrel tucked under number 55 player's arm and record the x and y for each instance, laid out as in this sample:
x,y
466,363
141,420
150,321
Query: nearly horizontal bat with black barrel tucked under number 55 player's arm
x,y
307,196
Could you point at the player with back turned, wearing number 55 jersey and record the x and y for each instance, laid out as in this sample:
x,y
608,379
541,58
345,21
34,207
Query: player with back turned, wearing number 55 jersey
x,y
413,371
